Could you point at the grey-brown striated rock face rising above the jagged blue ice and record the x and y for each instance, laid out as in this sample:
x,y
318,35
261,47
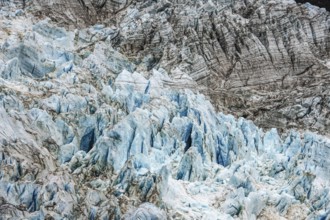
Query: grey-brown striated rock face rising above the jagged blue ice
x,y
264,60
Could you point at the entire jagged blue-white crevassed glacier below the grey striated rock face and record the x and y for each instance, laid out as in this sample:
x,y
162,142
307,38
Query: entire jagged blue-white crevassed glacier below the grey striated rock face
x,y
86,134
